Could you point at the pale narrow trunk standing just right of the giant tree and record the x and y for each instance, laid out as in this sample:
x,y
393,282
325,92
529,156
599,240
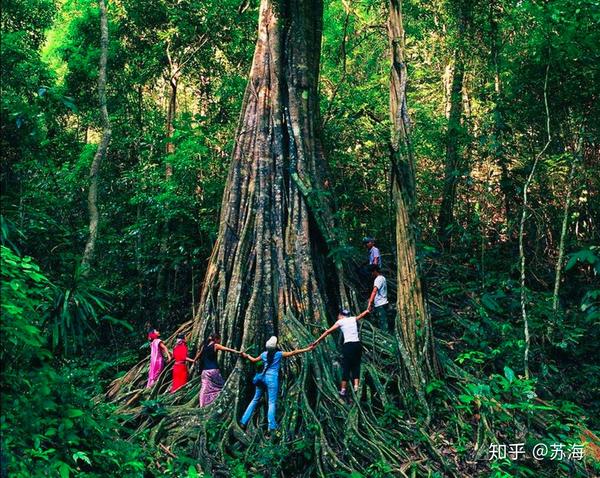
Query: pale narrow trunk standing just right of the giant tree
x,y
413,324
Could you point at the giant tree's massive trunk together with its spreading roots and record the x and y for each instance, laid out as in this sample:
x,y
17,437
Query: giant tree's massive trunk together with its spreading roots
x,y
269,273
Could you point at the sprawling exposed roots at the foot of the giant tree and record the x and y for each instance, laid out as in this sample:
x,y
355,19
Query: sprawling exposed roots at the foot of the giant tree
x,y
314,421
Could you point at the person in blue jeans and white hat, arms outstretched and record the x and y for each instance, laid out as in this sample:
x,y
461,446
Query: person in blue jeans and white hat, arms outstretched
x,y
271,358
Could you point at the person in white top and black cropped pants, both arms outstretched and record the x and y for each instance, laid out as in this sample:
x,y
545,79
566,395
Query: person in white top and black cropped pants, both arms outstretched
x,y
352,348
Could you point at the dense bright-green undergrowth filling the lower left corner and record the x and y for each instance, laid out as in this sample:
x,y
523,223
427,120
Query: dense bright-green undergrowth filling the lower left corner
x,y
48,422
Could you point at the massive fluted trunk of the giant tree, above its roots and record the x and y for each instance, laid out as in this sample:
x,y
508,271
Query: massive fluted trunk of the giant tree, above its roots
x,y
267,263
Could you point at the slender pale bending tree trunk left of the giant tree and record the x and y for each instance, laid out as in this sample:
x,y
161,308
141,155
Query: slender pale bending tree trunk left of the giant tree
x,y
88,252
